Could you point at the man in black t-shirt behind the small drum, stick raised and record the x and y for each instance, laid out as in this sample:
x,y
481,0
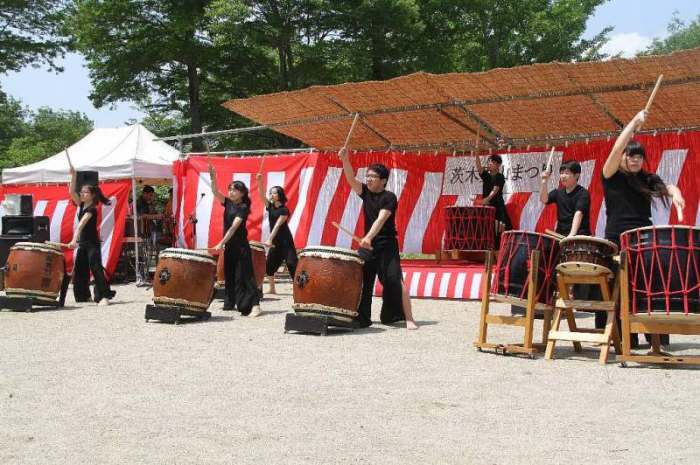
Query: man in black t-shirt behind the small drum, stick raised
x,y
572,199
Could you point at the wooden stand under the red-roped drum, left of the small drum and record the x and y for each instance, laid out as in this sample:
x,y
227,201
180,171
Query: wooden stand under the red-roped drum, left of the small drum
x,y
527,321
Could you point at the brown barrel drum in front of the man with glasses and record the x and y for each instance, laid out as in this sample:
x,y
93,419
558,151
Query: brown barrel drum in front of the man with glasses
x,y
328,281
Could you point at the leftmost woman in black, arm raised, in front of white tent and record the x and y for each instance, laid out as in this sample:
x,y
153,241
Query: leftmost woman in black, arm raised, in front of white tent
x,y
88,257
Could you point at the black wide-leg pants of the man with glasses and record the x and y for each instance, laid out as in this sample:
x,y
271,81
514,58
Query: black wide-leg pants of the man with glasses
x,y
382,261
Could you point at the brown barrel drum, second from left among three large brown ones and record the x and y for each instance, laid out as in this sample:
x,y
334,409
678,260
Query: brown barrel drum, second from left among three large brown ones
x,y
184,278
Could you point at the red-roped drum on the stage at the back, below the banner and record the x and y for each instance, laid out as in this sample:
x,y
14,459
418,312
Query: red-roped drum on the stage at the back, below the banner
x,y
470,228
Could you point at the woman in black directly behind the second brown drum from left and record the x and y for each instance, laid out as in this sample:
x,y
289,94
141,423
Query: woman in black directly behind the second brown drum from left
x,y
240,287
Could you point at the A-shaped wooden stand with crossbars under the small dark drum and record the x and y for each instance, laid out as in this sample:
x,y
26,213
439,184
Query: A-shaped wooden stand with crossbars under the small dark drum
x,y
566,306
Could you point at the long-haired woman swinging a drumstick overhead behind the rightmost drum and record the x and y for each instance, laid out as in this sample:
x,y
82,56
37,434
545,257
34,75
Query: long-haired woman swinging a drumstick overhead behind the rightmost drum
x,y
629,190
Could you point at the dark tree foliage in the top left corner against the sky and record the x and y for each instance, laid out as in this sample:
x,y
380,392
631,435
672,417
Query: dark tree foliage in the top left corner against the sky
x,y
30,33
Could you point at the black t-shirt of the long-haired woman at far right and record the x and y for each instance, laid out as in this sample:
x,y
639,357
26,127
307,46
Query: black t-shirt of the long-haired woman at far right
x,y
626,208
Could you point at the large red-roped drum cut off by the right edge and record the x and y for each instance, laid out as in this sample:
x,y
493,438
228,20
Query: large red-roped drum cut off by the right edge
x,y
663,267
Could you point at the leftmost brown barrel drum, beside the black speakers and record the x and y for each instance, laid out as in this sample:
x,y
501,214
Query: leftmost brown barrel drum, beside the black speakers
x,y
35,270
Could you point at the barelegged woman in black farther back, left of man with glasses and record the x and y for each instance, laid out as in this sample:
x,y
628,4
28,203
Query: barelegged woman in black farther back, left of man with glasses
x,y
280,242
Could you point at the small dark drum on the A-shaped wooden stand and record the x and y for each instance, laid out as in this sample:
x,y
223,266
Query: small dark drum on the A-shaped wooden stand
x,y
586,256
